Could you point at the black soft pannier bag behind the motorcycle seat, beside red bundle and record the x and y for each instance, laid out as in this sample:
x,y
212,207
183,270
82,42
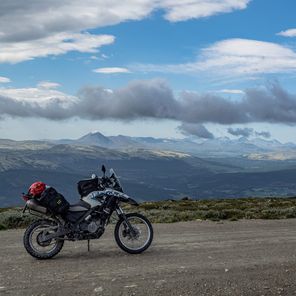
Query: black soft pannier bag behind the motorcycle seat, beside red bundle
x,y
53,201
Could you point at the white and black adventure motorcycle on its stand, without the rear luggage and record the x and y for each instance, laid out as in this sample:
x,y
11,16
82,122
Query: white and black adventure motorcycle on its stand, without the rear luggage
x,y
87,219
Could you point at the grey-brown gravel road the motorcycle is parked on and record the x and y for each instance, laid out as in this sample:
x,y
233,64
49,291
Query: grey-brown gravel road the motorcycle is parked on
x,y
196,258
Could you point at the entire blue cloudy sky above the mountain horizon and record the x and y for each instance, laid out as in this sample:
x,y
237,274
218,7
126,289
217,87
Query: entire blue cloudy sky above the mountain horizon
x,y
161,68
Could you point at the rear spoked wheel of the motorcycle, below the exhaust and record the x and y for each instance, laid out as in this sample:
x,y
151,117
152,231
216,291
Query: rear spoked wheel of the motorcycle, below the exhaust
x,y
35,243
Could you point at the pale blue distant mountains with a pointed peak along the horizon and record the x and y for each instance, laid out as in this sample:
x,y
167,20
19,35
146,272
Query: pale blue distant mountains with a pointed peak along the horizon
x,y
217,147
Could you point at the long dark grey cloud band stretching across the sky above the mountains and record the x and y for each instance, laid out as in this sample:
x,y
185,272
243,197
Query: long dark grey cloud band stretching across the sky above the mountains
x,y
155,99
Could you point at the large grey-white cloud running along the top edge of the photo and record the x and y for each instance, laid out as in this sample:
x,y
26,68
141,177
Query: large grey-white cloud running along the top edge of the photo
x,y
40,18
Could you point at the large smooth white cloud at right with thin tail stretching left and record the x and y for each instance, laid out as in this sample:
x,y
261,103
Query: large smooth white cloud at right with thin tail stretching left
x,y
234,57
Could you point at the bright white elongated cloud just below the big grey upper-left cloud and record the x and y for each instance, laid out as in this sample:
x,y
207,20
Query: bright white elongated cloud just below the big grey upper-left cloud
x,y
52,45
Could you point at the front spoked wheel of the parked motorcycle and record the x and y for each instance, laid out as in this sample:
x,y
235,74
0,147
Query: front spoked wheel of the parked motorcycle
x,y
135,234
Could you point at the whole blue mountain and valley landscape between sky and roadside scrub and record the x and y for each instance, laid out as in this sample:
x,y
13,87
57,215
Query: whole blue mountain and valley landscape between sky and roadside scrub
x,y
150,168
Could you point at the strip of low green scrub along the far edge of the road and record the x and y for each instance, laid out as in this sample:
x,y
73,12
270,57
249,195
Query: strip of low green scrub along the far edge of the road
x,y
187,210
